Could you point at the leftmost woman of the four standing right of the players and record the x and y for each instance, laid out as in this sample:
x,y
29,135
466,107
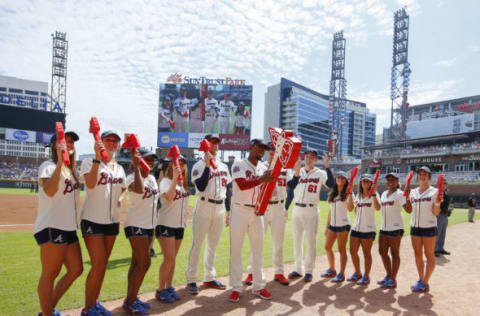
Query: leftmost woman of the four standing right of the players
x,y
338,226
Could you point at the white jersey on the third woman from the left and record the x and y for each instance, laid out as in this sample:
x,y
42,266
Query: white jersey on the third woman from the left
x,y
142,211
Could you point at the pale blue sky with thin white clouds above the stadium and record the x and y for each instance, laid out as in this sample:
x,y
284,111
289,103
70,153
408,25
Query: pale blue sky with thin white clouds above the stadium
x,y
119,51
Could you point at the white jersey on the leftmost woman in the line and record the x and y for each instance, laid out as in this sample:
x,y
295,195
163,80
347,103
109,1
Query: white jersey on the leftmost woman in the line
x,y
59,211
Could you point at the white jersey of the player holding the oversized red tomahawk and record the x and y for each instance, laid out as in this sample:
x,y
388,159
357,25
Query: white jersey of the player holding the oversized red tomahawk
x,y
245,169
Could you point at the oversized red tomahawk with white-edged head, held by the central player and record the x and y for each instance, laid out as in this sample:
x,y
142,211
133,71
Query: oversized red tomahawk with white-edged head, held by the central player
x,y
287,149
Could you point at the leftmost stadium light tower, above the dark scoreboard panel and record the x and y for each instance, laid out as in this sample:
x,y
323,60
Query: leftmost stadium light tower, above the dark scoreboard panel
x,y
58,94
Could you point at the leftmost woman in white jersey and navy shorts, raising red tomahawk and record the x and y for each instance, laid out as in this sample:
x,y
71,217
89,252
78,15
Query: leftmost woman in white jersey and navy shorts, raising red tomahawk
x,y
56,224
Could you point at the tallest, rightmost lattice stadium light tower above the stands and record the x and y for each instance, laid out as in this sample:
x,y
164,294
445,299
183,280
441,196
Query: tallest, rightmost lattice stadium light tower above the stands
x,y
400,79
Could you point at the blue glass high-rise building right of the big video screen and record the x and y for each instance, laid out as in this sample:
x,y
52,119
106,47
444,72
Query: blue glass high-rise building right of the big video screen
x,y
290,105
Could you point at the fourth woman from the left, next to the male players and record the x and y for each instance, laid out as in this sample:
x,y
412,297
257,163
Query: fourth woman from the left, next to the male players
x,y
171,222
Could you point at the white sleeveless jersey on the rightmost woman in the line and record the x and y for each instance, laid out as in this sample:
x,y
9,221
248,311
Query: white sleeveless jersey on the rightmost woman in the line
x,y
422,208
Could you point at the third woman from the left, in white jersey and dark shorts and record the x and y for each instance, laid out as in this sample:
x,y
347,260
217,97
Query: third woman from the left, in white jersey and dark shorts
x,y
139,226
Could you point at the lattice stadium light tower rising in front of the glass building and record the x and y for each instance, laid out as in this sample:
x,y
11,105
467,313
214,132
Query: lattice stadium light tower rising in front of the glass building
x,y
338,92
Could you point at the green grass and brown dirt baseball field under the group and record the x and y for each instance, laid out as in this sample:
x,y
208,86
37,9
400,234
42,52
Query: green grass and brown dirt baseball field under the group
x,y
20,270
